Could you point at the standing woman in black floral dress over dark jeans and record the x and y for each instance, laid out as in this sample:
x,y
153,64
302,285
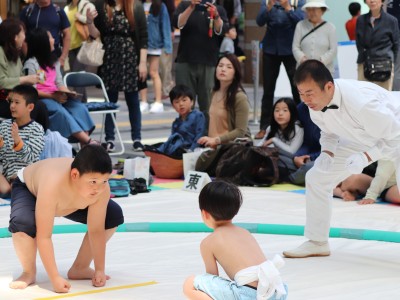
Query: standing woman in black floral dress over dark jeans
x,y
123,29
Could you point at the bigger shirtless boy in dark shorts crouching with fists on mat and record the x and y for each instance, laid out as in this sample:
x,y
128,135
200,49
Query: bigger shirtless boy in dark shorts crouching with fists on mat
x,y
76,189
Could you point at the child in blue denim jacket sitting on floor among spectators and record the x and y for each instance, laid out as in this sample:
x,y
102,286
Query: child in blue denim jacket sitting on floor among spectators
x,y
187,128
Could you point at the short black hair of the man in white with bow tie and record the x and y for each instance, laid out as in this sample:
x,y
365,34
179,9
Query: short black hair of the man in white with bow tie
x,y
315,70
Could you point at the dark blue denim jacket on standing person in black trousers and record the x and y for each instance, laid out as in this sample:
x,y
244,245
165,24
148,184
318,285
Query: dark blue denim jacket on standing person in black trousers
x,y
278,37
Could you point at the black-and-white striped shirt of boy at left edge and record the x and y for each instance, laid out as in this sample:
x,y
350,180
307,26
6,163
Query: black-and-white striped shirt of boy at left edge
x,y
33,143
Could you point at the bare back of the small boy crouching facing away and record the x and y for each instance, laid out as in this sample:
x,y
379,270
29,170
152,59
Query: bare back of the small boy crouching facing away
x,y
233,247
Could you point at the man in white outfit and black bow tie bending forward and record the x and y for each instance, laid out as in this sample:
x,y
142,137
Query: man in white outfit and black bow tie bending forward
x,y
360,123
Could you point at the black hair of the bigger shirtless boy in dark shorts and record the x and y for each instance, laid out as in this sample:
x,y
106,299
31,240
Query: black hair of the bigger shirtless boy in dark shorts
x,y
92,159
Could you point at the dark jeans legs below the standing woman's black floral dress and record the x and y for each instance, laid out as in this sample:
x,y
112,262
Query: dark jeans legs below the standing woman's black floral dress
x,y
135,116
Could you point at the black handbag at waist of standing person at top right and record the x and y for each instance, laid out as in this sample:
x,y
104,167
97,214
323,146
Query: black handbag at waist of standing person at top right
x,y
377,69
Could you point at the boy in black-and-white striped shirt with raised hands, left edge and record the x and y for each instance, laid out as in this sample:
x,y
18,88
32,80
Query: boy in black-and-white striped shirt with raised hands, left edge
x,y
21,138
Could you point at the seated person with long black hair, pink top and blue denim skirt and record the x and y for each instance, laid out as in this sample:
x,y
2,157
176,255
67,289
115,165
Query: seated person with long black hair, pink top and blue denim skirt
x,y
68,116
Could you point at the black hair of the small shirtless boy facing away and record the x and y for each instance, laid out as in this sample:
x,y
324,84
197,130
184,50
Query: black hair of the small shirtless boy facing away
x,y
221,200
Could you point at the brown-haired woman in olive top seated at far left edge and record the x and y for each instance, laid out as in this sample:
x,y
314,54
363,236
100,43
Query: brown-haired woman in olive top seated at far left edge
x,y
12,36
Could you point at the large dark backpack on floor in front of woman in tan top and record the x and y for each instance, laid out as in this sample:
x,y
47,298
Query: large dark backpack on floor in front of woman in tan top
x,y
248,165
